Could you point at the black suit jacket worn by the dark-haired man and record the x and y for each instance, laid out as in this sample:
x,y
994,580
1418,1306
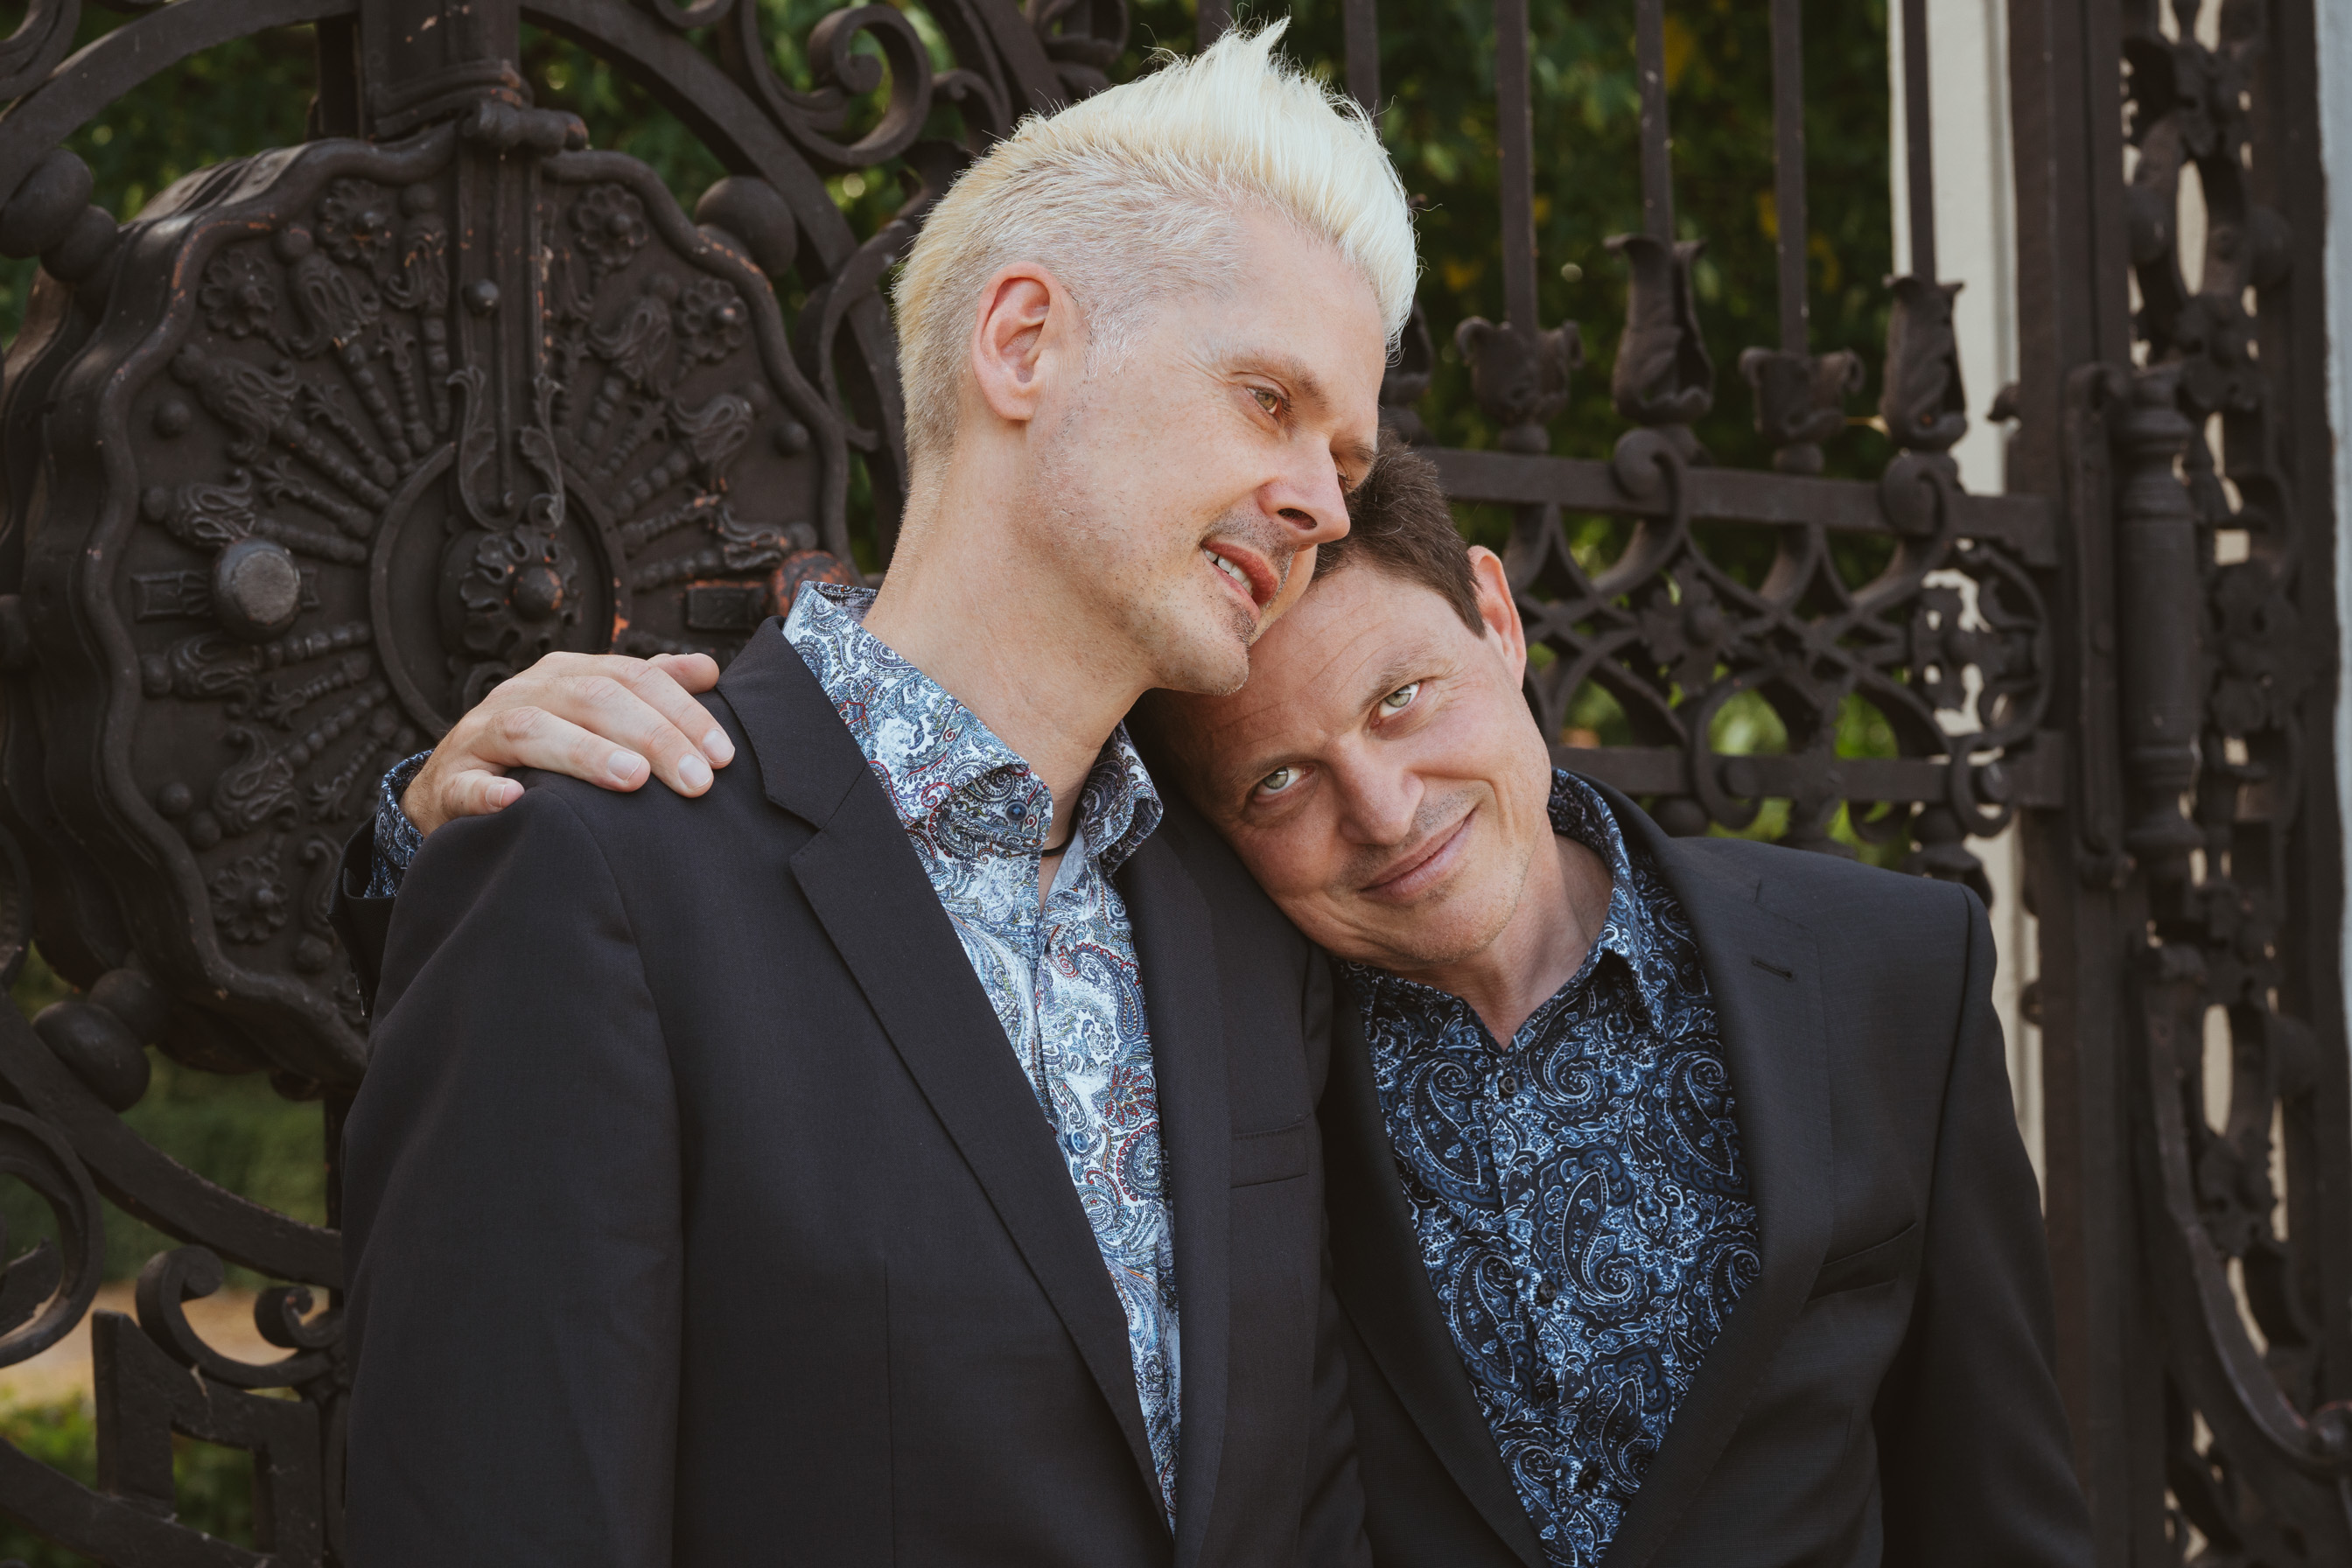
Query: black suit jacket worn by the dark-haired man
x,y
1883,1393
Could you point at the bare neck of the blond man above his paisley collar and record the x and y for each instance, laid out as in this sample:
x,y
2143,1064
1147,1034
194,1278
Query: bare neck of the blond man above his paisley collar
x,y
1005,636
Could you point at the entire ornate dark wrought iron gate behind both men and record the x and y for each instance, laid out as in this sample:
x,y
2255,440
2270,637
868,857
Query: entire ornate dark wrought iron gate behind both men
x,y
326,441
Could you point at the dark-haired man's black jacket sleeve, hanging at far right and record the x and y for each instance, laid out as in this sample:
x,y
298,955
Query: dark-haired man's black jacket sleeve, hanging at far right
x,y
1975,1454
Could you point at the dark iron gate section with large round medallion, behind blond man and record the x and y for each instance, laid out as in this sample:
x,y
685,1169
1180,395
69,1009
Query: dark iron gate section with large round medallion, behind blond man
x,y
309,455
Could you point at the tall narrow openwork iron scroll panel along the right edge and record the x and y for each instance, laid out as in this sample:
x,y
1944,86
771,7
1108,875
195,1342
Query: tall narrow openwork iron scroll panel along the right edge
x,y
2229,1120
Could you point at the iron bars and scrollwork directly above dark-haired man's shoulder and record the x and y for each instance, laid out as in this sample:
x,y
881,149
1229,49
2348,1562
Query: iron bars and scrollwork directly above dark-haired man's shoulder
x,y
1946,641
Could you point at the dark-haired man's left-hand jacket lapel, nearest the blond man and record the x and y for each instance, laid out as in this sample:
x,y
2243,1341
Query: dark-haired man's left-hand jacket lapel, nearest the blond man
x,y
1387,1292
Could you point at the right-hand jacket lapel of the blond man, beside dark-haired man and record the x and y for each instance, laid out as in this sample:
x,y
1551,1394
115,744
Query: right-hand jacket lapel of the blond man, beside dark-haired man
x,y
1175,951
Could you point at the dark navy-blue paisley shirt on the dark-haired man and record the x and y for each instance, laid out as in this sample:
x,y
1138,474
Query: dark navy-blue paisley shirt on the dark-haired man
x,y
1579,1195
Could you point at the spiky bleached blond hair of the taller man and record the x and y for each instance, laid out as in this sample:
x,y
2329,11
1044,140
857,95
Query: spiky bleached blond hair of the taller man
x,y
1137,189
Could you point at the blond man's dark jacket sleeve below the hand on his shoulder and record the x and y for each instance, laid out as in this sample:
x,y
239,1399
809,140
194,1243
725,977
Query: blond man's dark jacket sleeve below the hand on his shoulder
x,y
512,1217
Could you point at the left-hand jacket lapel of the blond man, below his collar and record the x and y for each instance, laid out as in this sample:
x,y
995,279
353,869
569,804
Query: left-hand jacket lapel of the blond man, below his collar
x,y
869,890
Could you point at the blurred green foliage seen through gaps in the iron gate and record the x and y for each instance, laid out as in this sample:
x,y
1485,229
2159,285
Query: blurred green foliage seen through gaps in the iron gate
x,y
1441,126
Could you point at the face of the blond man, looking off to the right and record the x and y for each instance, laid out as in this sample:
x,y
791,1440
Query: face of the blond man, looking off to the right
x,y
1191,474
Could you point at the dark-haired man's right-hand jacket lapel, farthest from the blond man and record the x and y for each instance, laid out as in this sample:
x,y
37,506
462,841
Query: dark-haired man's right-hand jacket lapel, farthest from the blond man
x,y
1765,979
